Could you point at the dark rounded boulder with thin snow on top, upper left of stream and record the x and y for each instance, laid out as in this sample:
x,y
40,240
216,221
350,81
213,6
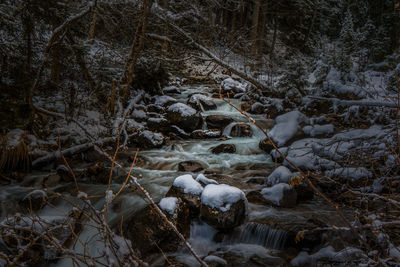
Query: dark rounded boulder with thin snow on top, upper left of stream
x,y
184,117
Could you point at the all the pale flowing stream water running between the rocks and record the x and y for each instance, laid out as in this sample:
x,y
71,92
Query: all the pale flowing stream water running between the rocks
x,y
159,168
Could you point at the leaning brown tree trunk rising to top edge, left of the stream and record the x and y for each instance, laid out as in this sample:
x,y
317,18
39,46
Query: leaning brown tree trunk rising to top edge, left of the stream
x,y
136,47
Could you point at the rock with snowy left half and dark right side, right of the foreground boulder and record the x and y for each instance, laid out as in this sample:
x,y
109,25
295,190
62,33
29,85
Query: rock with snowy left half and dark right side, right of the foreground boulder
x,y
281,195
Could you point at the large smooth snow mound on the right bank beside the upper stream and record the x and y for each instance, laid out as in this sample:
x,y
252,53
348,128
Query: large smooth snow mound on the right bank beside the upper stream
x,y
286,126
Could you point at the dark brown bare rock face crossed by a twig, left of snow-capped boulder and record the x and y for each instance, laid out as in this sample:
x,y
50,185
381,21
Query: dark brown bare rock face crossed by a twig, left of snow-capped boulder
x,y
149,232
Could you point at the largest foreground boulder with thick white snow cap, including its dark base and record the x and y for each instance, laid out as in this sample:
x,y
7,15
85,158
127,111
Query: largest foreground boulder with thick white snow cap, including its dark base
x,y
223,207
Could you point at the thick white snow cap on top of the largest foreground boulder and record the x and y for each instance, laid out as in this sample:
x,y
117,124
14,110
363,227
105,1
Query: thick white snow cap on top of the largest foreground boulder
x,y
222,196
